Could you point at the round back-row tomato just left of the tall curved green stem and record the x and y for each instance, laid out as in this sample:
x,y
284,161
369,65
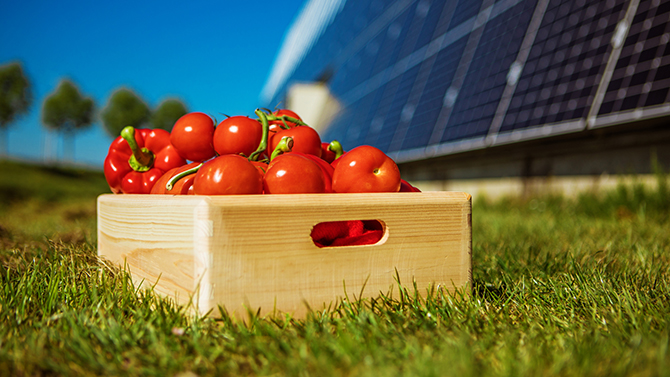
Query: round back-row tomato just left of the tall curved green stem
x,y
238,134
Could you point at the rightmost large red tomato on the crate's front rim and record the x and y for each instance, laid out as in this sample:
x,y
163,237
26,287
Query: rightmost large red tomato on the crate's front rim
x,y
366,169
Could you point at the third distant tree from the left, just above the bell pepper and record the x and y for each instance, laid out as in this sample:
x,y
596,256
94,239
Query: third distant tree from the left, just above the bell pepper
x,y
124,108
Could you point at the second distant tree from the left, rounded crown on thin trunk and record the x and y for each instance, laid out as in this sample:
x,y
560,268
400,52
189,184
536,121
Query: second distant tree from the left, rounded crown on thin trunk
x,y
67,111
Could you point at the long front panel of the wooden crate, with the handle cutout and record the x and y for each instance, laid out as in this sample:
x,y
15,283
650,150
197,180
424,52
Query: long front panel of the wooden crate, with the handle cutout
x,y
260,253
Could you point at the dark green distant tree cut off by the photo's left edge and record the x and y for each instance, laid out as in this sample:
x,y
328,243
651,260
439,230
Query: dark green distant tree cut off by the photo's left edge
x,y
15,98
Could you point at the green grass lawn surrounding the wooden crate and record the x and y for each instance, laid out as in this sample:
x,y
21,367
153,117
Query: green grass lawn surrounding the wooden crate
x,y
561,287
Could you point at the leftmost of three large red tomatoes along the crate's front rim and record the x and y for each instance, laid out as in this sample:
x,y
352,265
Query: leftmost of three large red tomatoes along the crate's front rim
x,y
228,175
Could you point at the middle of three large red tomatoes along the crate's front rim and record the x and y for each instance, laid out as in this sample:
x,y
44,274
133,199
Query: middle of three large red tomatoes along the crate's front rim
x,y
293,174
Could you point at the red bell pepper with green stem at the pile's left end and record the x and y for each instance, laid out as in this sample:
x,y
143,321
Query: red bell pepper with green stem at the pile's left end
x,y
138,158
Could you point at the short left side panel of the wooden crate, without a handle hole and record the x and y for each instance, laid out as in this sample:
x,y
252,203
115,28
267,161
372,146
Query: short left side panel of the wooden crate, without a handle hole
x,y
153,238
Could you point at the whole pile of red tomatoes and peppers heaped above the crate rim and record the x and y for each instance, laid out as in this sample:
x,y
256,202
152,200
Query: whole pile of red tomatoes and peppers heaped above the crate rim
x,y
274,154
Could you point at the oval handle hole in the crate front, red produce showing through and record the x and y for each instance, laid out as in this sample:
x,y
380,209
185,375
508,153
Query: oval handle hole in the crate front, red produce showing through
x,y
349,233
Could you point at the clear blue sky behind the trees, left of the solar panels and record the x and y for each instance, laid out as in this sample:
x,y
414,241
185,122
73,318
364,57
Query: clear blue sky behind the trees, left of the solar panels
x,y
213,55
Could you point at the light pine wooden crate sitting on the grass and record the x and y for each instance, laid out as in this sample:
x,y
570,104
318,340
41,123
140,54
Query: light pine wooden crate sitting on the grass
x,y
256,251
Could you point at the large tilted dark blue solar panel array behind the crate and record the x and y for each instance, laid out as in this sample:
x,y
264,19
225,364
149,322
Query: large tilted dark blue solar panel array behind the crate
x,y
424,78
